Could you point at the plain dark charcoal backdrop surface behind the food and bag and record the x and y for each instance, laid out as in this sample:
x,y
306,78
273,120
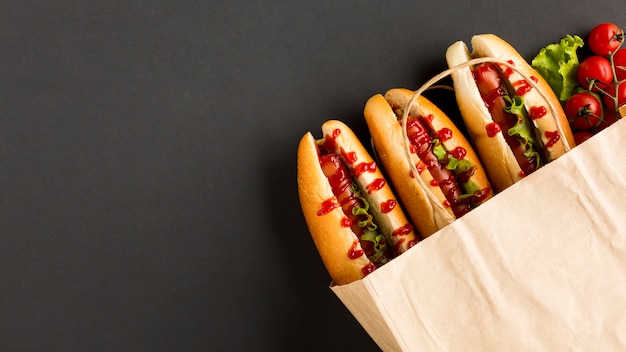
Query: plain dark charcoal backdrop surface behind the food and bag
x,y
148,158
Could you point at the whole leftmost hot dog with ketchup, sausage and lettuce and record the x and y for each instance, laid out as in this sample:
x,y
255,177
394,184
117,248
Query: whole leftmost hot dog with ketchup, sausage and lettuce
x,y
353,216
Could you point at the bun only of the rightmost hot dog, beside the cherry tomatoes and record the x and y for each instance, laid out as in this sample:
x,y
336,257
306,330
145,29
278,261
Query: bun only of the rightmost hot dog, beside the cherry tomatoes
x,y
497,157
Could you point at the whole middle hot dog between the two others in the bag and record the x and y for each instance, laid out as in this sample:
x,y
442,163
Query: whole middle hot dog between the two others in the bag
x,y
451,178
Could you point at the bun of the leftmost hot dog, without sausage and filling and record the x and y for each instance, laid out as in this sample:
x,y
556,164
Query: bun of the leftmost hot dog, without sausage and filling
x,y
335,241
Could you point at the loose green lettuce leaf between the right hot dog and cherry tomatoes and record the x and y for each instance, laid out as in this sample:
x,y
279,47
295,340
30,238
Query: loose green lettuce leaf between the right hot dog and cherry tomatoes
x,y
558,63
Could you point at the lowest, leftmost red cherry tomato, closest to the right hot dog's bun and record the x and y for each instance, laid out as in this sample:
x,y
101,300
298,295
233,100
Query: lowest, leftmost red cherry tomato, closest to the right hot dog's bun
x,y
583,110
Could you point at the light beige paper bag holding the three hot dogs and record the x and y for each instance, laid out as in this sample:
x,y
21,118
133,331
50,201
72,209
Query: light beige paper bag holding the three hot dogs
x,y
539,267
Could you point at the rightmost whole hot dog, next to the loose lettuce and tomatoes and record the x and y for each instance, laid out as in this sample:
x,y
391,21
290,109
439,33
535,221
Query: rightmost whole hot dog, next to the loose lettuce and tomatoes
x,y
516,126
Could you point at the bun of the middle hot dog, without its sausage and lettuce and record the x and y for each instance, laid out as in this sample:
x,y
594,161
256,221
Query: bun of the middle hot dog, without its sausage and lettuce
x,y
431,212
